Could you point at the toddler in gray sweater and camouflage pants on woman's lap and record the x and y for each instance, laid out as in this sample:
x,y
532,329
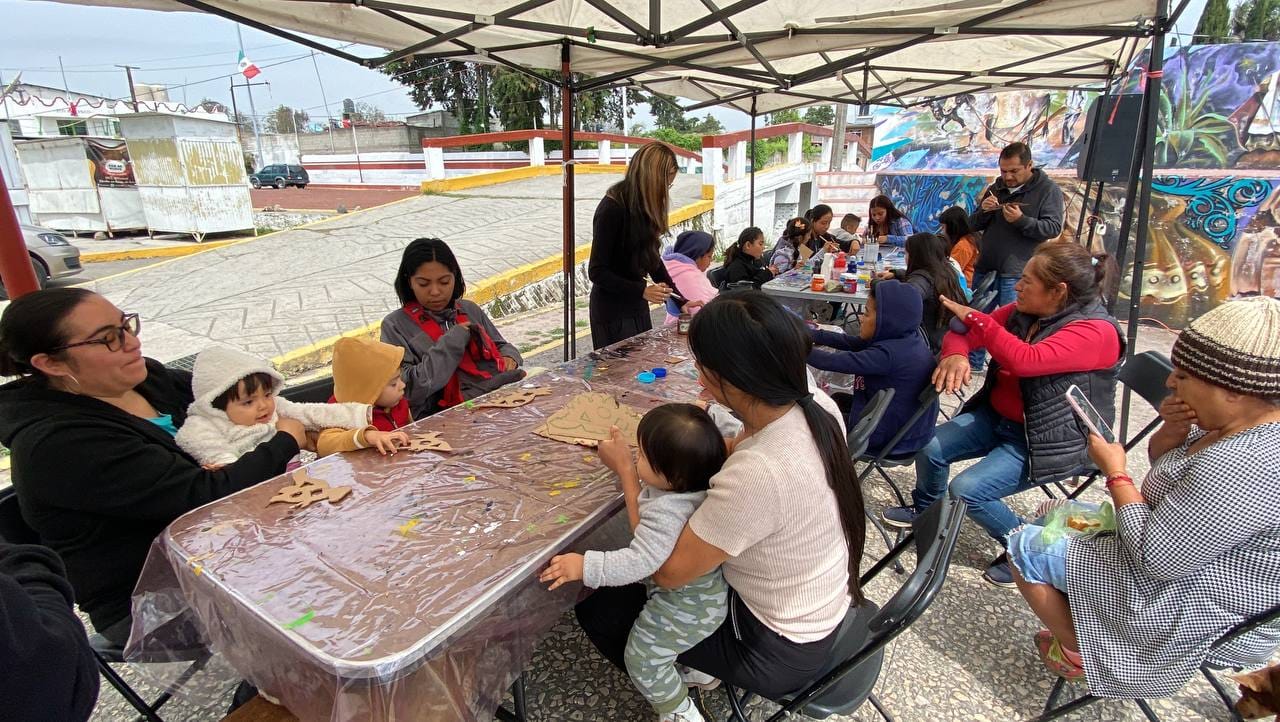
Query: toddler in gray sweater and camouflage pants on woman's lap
x,y
680,451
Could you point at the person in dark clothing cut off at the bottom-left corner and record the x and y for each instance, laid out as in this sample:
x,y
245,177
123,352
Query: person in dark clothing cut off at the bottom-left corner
x,y
49,669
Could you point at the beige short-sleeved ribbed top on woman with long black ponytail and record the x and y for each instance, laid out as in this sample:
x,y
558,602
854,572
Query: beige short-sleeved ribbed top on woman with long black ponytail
x,y
772,511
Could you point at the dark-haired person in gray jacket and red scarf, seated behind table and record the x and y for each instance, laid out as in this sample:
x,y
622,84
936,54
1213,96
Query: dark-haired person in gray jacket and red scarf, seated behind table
x,y
452,350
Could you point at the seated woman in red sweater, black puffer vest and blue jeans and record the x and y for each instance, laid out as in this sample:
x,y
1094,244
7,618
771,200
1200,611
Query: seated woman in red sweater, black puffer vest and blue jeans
x,y
1021,427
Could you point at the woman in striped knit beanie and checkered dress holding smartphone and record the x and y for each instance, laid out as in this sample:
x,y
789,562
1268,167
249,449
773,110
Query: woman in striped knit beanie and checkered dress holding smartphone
x,y
1197,549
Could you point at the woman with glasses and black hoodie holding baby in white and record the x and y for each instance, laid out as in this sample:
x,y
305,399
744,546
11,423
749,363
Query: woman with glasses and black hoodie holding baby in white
x,y
92,426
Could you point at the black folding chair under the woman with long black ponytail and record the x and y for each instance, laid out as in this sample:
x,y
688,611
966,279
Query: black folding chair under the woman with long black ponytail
x,y
848,679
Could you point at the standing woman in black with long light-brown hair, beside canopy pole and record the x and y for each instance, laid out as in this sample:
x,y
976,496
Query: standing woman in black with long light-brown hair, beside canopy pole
x,y
625,243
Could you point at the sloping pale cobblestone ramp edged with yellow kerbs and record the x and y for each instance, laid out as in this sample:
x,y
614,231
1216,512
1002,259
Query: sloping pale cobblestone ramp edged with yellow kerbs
x,y
295,289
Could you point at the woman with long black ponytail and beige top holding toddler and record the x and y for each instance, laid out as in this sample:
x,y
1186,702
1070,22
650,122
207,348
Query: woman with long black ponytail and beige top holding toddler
x,y
784,518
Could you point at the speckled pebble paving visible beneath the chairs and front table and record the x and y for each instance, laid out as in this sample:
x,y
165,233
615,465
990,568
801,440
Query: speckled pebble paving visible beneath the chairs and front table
x,y
970,659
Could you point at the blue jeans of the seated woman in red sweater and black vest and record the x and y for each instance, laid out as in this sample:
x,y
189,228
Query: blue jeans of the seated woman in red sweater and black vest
x,y
1002,446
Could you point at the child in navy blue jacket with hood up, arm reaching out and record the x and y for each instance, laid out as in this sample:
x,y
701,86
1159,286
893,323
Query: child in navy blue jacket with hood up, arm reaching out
x,y
889,353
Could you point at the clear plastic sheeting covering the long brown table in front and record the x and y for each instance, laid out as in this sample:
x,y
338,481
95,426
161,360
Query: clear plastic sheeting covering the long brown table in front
x,y
417,597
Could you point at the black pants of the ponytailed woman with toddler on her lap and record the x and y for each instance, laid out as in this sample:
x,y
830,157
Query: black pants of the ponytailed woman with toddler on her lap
x,y
743,652
